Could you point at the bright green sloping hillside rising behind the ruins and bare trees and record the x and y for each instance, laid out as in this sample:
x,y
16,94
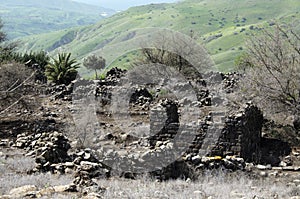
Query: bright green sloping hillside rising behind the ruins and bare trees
x,y
221,26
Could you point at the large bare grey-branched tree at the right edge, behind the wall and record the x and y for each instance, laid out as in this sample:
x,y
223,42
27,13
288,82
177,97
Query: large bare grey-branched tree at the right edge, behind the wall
x,y
273,80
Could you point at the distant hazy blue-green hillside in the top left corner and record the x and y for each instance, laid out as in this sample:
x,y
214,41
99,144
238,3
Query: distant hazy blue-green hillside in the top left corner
x,y
23,18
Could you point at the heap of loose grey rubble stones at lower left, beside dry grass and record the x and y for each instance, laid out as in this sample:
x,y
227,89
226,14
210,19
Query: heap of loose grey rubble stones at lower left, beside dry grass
x,y
50,151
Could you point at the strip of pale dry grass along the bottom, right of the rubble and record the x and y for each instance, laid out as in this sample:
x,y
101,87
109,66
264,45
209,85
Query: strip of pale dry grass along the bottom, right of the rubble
x,y
213,185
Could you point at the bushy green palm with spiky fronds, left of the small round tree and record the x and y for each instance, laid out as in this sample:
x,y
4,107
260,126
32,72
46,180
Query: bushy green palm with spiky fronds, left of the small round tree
x,y
62,70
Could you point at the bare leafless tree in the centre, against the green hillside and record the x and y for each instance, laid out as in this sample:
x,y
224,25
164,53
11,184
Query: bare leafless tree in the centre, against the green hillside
x,y
176,50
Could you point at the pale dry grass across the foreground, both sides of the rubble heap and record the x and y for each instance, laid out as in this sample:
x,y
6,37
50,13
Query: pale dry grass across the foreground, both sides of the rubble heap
x,y
210,184
